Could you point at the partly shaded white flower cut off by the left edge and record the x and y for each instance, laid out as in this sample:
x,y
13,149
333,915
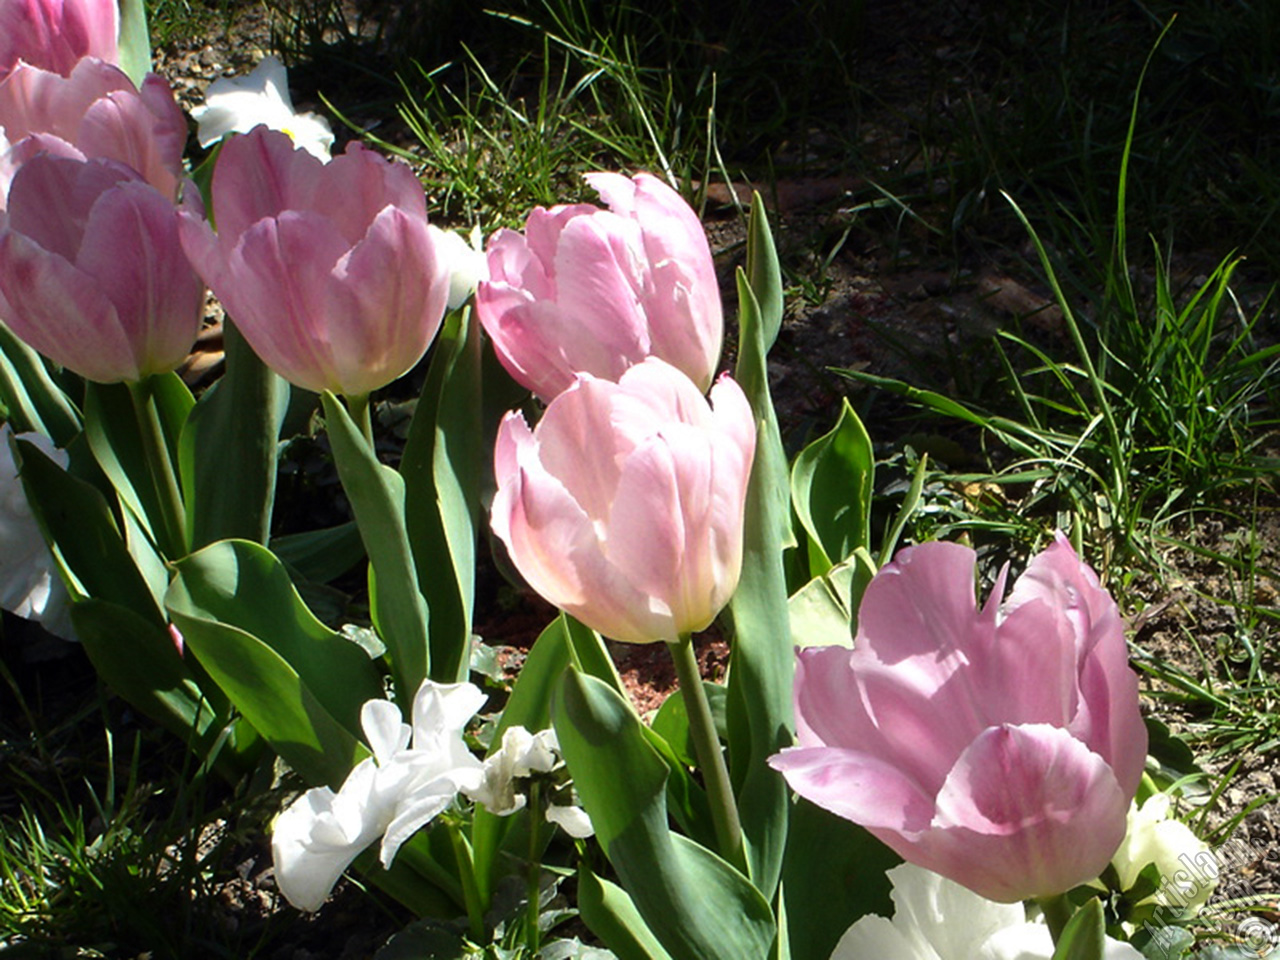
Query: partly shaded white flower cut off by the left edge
x,y
30,587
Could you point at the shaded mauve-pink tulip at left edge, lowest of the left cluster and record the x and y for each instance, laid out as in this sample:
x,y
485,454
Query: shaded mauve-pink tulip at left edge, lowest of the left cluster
x,y
92,271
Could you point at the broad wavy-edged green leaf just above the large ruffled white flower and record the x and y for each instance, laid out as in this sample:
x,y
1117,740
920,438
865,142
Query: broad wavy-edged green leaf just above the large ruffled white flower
x,y
237,587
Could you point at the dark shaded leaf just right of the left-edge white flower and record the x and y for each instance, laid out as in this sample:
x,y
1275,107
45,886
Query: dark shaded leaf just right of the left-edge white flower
x,y
84,536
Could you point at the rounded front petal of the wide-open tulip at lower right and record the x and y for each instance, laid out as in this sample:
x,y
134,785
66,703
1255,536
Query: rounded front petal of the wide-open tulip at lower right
x,y
1028,796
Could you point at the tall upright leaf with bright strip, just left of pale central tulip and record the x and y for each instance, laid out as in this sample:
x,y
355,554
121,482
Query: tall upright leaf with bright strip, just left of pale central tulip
x,y
442,474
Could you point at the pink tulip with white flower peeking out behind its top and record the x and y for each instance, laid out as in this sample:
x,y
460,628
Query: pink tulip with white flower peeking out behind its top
x,y
330,271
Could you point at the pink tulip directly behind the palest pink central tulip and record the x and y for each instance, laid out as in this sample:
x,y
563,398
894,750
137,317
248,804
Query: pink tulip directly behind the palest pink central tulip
x,y
596,291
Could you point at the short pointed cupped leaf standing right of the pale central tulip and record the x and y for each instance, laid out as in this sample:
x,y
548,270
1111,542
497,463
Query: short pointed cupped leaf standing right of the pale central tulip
x,y
831,492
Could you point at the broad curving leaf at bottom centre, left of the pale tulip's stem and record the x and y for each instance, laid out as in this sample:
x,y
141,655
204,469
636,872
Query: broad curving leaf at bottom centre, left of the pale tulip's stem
x,y
697,906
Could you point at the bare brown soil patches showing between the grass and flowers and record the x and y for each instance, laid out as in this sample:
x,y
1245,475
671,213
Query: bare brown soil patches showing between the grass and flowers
x,y
888,310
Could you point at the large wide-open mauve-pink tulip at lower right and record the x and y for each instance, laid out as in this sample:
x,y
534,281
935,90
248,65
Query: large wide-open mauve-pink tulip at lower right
x,y
999,748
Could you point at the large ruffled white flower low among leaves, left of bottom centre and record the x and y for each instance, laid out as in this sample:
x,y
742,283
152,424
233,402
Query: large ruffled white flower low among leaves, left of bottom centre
x,y
412,778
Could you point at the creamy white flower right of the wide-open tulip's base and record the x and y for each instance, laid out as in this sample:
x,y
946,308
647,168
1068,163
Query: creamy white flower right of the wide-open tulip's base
x,y
1187,867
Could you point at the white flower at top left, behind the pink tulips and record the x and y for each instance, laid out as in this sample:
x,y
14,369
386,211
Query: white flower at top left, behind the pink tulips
x,y
240,104
